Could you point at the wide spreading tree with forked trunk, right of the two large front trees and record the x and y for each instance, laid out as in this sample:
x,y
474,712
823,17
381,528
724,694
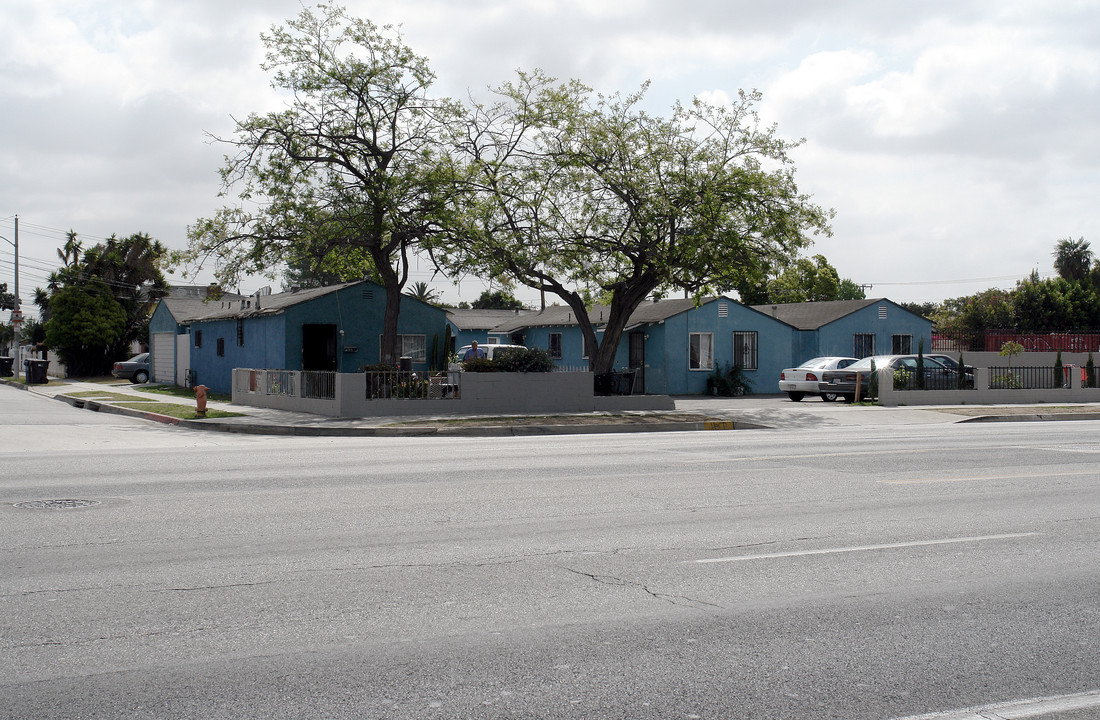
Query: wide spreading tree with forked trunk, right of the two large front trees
x,y
581,192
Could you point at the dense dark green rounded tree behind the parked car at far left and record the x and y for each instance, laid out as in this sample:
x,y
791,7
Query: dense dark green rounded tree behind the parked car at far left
x,y
86,323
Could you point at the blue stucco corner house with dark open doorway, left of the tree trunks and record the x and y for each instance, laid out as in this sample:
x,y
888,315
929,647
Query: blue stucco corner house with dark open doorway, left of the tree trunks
x,y
336,328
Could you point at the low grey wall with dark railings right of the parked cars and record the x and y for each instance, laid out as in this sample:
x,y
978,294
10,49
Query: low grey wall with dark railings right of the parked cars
x,y
982,393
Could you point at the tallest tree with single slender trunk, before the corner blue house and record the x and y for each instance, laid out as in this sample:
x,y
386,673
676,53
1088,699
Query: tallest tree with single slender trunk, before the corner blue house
x,y
358,161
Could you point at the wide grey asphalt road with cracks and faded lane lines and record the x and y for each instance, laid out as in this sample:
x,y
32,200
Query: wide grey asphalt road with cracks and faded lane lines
x,y
857,573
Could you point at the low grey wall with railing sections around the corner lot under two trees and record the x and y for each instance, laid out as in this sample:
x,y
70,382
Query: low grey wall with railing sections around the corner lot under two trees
x,y
480,394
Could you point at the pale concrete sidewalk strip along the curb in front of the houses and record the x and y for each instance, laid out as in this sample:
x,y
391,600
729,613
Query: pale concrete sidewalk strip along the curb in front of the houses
x,y
692,413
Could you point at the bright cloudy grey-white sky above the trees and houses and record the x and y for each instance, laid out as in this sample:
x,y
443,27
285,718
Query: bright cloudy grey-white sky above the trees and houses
x,y
958,140
